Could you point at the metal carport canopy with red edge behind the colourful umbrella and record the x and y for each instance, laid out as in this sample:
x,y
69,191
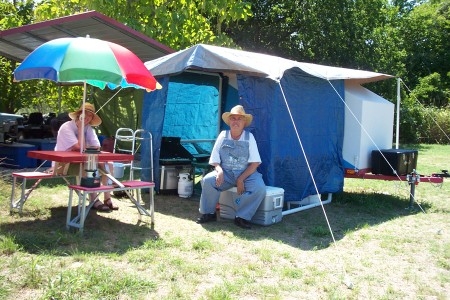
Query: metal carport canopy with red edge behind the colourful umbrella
x,y
17,43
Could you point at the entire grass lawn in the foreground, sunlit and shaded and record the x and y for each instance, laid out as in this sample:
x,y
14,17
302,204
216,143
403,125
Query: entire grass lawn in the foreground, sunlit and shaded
x,y
382,249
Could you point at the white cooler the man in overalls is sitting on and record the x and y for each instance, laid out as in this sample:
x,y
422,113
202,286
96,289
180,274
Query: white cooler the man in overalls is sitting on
x,y
269,211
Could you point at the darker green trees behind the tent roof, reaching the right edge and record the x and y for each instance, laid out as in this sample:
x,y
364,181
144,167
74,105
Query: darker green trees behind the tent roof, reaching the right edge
x,y
406,38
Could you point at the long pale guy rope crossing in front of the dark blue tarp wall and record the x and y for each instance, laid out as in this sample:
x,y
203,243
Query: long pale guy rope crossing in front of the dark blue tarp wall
x,y
346,279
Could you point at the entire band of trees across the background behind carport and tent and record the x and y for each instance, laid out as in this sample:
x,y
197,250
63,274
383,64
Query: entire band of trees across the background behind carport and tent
x,y
406,38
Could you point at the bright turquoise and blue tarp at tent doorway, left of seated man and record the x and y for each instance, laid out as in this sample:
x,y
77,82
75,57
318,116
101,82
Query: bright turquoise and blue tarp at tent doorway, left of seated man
x,y
186,107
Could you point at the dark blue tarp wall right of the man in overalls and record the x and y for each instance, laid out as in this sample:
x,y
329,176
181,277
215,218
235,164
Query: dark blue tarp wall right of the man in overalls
x,y
318,116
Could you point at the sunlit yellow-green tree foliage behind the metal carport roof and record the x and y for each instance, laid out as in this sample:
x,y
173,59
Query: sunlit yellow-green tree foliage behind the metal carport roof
x,y
178,24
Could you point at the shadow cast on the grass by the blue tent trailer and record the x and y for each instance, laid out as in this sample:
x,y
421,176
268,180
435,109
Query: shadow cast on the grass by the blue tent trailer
x,y
308,229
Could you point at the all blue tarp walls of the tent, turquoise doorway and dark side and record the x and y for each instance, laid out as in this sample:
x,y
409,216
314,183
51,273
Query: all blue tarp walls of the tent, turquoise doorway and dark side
x,y
316,108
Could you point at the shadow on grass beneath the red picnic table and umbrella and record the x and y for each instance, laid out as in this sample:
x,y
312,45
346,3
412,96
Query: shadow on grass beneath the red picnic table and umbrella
x,y
101,234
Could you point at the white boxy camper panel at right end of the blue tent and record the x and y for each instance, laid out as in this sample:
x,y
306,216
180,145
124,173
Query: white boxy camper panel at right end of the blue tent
x,y
369,125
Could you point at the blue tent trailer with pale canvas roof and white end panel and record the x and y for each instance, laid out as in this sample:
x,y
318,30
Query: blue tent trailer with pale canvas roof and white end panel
x,y
300,112
